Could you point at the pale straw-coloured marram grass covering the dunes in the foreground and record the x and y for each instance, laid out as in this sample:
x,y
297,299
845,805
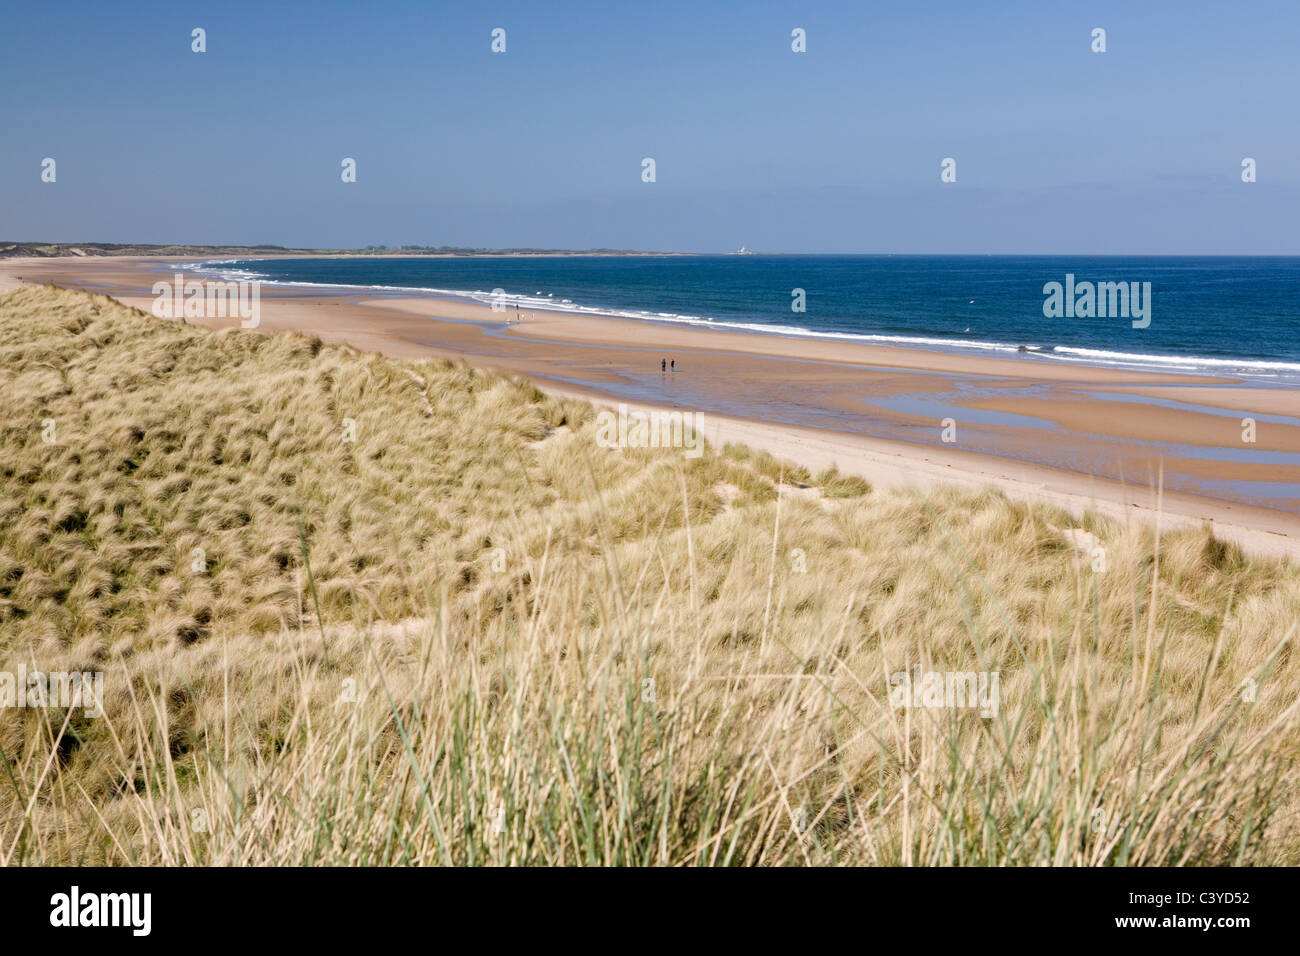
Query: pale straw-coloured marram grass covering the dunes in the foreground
x,y
470,635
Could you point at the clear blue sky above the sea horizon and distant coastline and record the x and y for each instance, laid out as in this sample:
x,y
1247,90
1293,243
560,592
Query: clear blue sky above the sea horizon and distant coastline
x,y
837,150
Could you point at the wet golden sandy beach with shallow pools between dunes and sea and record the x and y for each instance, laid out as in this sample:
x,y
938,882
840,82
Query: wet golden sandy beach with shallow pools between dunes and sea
x,y
1072,435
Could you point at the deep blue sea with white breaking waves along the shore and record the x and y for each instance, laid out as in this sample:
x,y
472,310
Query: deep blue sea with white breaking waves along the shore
x,y
1224,315
